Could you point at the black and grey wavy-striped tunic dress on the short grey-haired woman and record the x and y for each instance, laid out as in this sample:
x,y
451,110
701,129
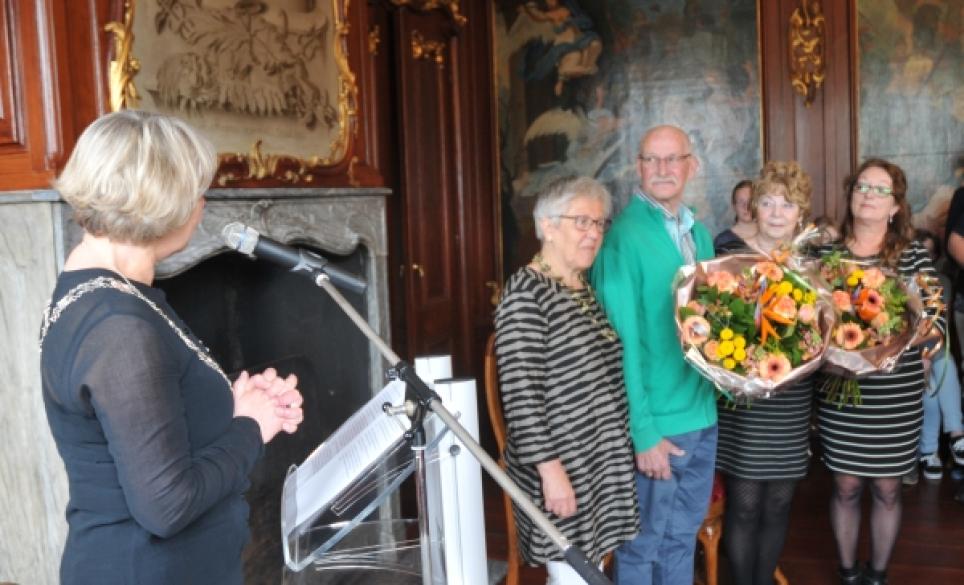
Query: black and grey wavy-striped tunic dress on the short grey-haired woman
x,y
563,397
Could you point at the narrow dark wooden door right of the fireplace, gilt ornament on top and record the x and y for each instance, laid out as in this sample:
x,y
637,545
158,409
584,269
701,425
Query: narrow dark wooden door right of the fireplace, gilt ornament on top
x,y
429,180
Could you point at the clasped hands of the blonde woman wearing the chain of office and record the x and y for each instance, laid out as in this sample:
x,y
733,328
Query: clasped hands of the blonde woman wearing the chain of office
x,y
272,401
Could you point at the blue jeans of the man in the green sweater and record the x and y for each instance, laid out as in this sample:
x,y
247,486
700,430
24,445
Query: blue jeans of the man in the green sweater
x,y
671,512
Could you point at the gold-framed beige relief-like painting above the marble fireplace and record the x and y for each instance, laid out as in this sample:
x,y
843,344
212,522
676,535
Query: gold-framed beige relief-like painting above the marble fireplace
x,y
255,77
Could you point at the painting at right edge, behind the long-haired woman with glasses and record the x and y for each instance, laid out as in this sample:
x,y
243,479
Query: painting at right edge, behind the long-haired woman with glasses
x,y
911,87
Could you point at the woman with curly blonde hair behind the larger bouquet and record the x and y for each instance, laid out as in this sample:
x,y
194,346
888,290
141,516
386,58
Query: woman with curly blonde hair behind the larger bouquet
x,y
764,446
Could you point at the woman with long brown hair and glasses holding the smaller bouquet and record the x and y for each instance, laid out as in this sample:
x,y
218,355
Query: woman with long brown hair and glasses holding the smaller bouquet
x,y
876,442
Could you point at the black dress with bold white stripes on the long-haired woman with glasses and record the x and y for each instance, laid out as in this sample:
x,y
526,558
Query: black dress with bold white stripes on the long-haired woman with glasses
x,y
880,437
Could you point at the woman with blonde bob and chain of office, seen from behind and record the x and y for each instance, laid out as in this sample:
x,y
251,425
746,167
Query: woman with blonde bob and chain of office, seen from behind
x,y
156,441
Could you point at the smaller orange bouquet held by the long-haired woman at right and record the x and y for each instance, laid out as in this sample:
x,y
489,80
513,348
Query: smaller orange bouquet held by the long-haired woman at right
x,y
878,316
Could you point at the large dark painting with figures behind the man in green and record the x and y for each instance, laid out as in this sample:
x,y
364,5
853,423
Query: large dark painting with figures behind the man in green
x,y
579,82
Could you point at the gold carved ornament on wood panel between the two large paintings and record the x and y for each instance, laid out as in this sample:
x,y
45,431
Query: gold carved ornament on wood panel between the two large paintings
x,y
807,50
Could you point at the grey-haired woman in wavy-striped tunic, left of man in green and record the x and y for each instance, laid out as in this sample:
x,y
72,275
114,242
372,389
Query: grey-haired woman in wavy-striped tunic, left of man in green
x,y
561,377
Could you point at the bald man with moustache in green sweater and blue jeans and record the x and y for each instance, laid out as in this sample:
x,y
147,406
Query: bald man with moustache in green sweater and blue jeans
x,y
672,410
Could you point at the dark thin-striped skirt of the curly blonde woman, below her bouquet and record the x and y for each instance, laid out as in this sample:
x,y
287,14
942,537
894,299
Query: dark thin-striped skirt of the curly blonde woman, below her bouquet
x,y
767,438
